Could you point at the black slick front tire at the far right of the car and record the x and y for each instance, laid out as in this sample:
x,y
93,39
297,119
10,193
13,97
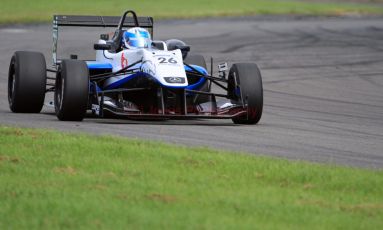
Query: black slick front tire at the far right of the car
x,y
248,77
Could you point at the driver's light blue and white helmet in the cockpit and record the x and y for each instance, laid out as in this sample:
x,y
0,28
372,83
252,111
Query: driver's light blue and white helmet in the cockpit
x,y
136,38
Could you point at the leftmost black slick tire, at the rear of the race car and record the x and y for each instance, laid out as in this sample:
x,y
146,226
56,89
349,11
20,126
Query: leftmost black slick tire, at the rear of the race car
x,y
26,82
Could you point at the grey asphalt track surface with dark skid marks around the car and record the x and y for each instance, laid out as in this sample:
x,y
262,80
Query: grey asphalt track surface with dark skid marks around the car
x,y
323,86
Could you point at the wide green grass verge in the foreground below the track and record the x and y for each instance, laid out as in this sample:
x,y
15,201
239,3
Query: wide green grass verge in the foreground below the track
x,y
51,180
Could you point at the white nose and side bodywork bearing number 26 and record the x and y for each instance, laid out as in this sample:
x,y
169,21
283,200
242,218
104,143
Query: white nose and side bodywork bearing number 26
x,y
159,64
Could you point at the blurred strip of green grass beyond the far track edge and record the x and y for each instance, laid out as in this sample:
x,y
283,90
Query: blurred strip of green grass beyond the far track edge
x,y
27,11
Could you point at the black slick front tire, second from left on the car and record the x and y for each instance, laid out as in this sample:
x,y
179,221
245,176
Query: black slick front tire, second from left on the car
x,y
72,90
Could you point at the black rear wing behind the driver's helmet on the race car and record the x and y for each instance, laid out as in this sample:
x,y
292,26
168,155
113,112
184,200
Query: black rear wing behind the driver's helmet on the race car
x,y
94,21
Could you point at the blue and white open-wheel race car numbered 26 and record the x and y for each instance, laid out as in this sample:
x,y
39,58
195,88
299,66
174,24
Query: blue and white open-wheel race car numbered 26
x,y
134,77
